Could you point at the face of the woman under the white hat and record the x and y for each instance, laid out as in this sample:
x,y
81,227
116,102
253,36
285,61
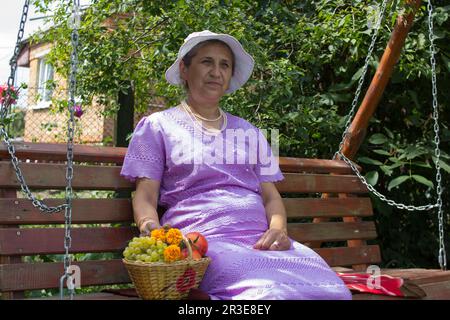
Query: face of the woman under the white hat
x,y
209,74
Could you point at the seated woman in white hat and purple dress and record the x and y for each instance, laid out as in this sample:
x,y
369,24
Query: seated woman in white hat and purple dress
x,y
195,160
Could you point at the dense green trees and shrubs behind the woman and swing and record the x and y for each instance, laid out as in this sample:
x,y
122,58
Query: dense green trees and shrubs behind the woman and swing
x,y
308,57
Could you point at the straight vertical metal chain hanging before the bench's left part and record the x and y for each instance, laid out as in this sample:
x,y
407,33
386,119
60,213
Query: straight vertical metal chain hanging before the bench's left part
x,y
70,133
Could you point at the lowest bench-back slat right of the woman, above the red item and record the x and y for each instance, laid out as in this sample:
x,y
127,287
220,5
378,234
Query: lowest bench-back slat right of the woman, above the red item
x,y
348,256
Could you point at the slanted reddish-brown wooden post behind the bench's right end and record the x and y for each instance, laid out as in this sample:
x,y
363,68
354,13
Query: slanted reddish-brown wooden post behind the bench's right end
x,y
358,128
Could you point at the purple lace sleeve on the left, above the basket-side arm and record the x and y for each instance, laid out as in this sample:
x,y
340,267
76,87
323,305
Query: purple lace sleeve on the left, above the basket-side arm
x,y
145,157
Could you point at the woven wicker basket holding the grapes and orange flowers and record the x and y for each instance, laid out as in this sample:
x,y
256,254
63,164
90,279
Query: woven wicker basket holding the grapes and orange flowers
x,y
167,281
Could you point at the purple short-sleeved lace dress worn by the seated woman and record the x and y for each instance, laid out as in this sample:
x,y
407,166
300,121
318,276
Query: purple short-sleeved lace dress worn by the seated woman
x,y
211,184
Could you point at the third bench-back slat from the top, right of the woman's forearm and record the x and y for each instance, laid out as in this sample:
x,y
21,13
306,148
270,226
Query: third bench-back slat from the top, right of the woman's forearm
x,y
328,207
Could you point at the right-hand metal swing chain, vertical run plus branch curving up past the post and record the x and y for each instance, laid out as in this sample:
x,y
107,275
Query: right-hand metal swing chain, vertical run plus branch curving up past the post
x,y
442,255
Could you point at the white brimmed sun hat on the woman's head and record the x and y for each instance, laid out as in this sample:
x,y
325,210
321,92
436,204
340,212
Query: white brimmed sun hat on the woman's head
x,y
243,62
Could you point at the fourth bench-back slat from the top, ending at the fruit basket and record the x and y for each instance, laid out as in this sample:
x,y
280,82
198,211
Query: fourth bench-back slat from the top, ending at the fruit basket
x,y
29,241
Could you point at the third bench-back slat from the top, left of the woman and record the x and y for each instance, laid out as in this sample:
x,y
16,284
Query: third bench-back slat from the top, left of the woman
x,y
21,211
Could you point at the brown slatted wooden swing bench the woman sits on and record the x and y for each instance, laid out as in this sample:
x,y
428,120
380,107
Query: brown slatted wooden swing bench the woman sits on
x,y
105,225
